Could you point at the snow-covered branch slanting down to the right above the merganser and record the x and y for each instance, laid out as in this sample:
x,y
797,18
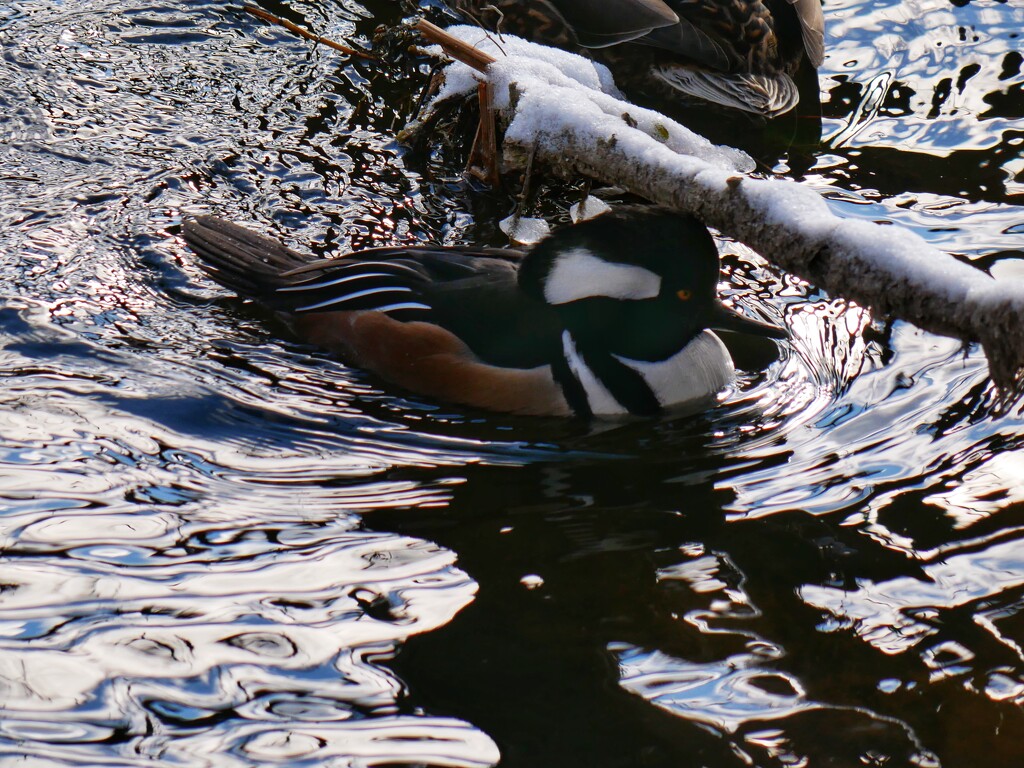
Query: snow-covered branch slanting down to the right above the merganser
x,y
566,112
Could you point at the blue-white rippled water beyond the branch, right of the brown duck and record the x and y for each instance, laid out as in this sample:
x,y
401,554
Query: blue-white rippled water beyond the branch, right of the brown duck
x,y
929,82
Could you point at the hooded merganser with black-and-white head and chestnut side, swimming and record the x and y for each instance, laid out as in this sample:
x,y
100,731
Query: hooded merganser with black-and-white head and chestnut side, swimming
x,y
606,318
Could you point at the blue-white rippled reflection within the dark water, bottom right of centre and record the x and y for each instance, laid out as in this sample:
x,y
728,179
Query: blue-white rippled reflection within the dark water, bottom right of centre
x,y
748,696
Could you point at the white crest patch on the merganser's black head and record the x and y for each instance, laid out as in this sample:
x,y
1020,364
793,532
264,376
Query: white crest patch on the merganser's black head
x,y
581,275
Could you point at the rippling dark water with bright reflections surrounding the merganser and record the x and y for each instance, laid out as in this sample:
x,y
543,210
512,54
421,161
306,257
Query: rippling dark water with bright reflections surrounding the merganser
x,y
223,548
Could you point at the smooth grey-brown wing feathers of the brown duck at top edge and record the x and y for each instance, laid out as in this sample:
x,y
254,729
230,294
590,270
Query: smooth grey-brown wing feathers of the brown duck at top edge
x,y
599,24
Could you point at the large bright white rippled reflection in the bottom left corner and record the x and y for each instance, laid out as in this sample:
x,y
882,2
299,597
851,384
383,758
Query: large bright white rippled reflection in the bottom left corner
x,y
300,619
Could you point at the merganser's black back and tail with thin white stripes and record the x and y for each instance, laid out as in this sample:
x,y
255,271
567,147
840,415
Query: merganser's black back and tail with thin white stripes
x,y
472,292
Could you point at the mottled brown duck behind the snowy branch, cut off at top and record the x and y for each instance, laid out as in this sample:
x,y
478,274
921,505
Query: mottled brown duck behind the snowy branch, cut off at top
x,y
739,54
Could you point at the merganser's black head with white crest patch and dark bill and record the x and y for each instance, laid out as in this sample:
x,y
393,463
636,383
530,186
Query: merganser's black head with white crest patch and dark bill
x,y
641,283
